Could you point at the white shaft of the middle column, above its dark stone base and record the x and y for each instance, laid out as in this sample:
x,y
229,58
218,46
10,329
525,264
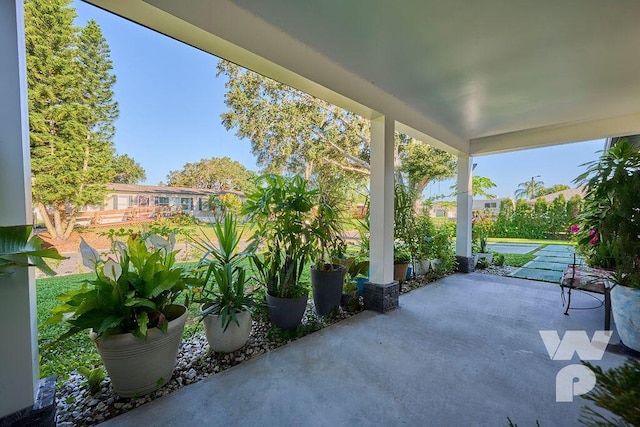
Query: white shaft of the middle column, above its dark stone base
x,y
381,203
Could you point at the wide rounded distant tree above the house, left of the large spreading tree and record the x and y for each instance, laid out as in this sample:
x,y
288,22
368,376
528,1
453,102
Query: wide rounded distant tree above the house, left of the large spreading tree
x,y
219,173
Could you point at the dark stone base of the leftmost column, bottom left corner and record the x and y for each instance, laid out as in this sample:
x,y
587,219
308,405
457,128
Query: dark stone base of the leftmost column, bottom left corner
x,y
43,411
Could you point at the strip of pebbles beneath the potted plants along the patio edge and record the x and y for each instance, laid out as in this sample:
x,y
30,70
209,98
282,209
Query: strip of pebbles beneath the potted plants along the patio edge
x,y
77,407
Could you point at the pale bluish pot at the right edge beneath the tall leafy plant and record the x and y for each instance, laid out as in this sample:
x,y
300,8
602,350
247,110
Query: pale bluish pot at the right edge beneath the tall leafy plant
x,y
625,305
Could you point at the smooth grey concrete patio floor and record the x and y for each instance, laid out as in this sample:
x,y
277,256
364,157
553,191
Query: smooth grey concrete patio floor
x,y
463,351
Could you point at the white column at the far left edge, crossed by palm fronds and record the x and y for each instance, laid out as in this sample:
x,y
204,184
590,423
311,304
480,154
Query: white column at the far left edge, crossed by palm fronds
x,y
19,356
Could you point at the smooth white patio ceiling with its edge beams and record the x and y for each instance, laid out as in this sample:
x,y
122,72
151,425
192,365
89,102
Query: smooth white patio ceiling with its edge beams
x,y
474,77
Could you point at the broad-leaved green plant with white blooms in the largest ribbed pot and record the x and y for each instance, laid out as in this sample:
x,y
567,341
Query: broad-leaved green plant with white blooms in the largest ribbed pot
x,y
134,289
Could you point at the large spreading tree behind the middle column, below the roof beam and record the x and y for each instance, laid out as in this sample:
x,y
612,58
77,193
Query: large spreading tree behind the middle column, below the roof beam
x,y
292,131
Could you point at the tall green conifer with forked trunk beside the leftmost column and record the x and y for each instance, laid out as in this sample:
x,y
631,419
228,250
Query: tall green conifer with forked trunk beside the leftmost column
x,y
71,112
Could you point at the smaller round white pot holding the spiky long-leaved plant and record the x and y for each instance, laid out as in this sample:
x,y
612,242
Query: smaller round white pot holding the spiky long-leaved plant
x,y
235,337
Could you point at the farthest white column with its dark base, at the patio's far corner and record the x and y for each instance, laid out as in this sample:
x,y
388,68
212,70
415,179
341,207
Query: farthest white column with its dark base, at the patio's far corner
x,y
466,263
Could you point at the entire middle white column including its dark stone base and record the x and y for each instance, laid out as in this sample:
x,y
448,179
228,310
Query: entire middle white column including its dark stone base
x,y
381,293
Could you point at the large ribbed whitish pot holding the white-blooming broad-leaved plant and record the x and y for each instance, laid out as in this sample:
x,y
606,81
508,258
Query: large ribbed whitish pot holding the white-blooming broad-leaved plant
x,y
137,366
